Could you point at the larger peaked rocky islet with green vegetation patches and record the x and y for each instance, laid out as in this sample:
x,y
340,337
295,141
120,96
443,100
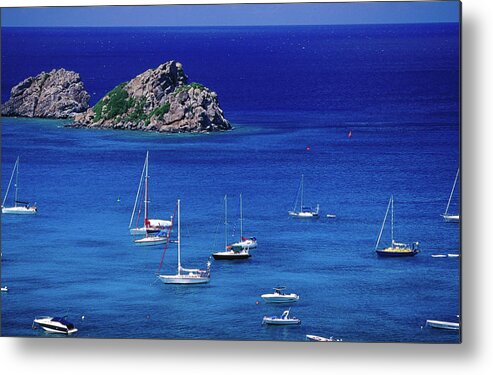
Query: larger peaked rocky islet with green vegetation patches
x,y
160,100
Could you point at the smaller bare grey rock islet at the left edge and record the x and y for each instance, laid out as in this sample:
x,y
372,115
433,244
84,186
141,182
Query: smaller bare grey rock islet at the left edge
x,y
57,94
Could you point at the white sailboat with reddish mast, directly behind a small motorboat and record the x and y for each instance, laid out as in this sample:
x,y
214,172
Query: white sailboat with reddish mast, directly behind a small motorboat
x,y
150,225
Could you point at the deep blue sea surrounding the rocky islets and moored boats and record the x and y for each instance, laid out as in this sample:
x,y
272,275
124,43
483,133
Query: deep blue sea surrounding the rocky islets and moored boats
x,y
395,87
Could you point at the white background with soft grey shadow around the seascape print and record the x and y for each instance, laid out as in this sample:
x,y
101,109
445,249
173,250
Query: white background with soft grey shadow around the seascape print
x,y
474,356
